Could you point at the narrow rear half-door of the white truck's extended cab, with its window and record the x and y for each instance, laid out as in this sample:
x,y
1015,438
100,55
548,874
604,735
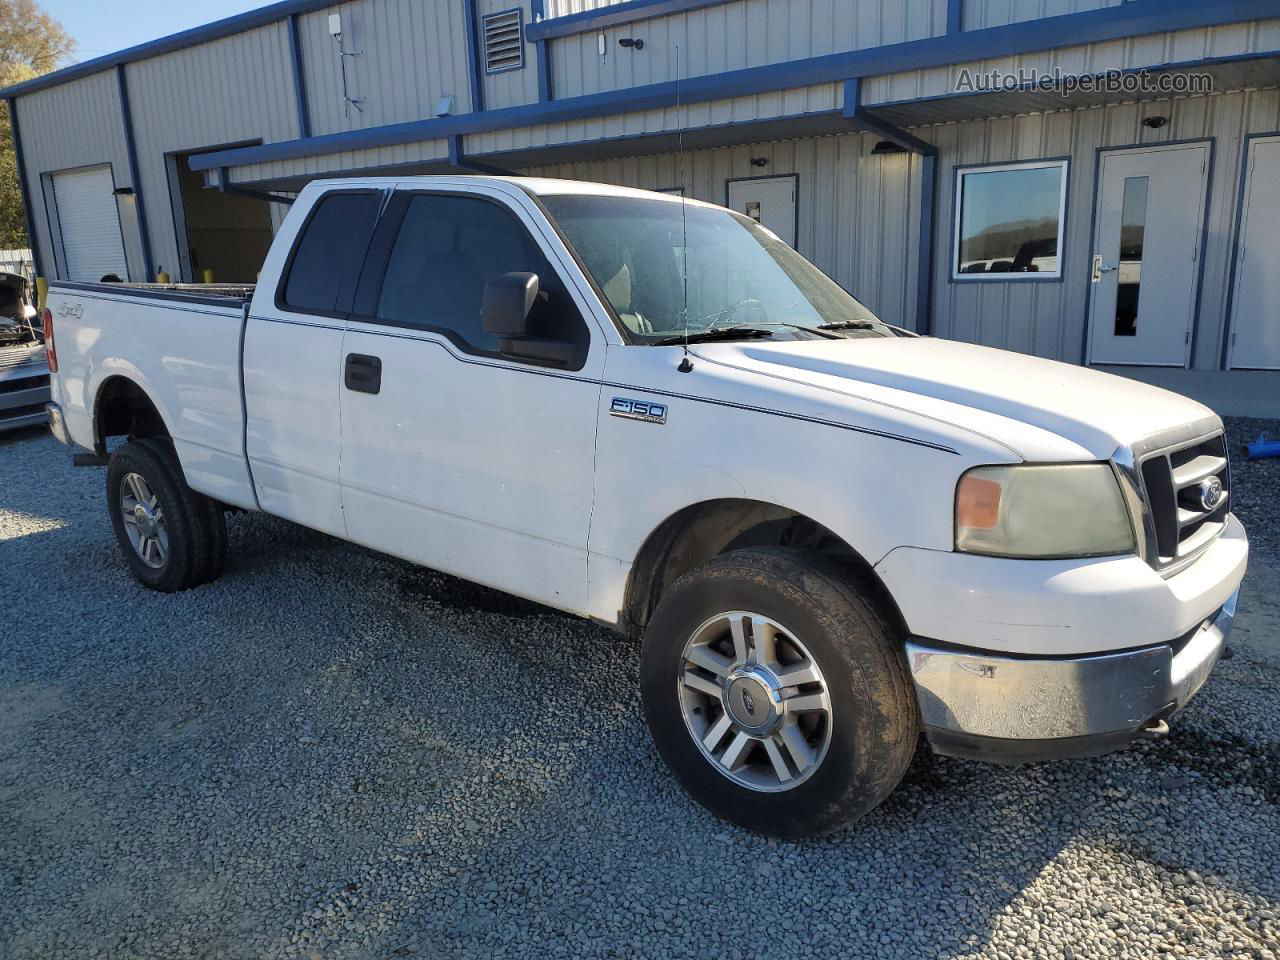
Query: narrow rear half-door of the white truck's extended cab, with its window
x,y
294,360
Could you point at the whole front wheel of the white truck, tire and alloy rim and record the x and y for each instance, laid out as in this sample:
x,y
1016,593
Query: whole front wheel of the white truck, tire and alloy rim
x,y
778,693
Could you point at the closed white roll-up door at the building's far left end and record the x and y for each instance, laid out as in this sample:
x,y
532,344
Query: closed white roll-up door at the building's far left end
x,y
90,225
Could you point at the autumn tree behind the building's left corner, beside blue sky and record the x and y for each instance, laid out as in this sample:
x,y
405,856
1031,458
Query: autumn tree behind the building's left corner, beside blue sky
x,y
31,43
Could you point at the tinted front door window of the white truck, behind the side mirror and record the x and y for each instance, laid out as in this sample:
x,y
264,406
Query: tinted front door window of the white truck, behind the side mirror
x,y
446,252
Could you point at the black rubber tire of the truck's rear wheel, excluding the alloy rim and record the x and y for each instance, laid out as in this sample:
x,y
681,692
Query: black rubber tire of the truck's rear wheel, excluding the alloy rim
x,y
194,523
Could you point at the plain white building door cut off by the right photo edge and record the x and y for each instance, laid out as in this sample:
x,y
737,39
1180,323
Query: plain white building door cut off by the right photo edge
x,y
1255,316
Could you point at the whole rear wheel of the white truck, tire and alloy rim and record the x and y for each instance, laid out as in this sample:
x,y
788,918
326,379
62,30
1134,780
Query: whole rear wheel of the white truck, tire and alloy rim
x,y
172,537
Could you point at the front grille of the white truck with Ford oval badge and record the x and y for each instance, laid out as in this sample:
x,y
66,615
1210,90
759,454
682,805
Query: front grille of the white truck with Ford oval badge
x,y
1187,493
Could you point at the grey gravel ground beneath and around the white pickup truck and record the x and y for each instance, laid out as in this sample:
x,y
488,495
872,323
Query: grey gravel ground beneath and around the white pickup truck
x,y
332,755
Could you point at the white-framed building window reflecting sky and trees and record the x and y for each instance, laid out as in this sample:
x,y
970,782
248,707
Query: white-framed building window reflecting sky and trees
x,y
1009,222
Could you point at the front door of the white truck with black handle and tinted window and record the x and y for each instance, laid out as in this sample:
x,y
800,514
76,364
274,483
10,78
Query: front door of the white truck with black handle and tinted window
x,y
454,455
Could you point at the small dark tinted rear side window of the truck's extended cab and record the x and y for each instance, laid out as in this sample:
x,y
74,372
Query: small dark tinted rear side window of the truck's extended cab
x,y
330,253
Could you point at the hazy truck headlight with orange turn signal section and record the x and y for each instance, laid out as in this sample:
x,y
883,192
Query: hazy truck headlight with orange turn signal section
x,y
1044,511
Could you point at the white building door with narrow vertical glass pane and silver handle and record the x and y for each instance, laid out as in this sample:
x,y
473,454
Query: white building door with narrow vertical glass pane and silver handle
x,y
1146,254
